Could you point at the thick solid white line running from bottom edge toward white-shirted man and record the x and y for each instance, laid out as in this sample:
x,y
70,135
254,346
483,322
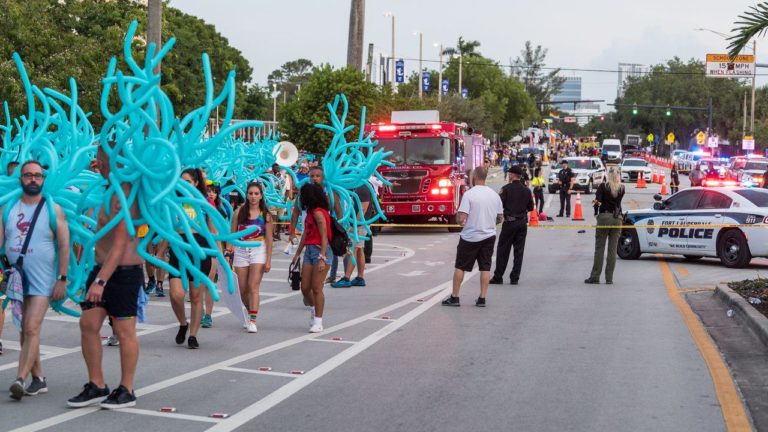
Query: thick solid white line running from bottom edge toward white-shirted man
x,y
288,390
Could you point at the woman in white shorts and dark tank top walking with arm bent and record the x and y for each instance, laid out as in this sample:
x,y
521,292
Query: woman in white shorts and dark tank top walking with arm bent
x,y
252,262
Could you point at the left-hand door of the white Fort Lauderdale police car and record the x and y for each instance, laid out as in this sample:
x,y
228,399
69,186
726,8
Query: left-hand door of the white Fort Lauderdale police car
x,y
671,220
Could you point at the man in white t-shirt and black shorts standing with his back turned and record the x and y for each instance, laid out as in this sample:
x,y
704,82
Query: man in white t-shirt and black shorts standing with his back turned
x,y
479,212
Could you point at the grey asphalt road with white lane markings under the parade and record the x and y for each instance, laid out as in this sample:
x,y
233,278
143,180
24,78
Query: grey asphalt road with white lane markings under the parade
x,y
550,354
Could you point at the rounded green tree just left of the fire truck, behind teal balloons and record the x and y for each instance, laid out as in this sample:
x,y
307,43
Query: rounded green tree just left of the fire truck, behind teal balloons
x,y
299,116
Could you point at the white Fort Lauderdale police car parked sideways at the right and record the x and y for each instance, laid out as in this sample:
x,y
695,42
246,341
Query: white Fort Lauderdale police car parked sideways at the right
x,y
689,223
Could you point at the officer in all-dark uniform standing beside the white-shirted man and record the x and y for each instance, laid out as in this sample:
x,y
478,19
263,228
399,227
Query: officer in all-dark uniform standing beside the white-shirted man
x,y
517,201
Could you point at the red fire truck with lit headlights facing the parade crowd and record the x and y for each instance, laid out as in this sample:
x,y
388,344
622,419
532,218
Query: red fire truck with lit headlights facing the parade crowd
x,y
428,177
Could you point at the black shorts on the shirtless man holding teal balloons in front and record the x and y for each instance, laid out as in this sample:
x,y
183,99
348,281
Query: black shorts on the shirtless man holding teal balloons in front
x,y
121,293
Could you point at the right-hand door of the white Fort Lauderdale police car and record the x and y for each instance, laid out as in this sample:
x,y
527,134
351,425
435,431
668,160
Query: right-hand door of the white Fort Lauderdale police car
x,y
711,210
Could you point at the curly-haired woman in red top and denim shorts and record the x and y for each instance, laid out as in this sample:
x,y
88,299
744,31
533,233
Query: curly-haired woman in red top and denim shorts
x,y
316,238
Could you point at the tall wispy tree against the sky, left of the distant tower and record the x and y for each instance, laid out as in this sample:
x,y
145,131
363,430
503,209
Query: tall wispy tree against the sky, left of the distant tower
x,y
529,69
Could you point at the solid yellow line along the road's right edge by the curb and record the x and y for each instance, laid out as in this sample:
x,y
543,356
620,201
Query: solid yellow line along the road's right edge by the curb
x,y
734,414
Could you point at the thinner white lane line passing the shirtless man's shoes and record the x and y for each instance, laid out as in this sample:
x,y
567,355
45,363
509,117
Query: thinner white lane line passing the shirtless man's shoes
x,y
74,414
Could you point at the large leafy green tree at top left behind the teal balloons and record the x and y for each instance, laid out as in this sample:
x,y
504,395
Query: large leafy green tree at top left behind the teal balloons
x,y
57,40
